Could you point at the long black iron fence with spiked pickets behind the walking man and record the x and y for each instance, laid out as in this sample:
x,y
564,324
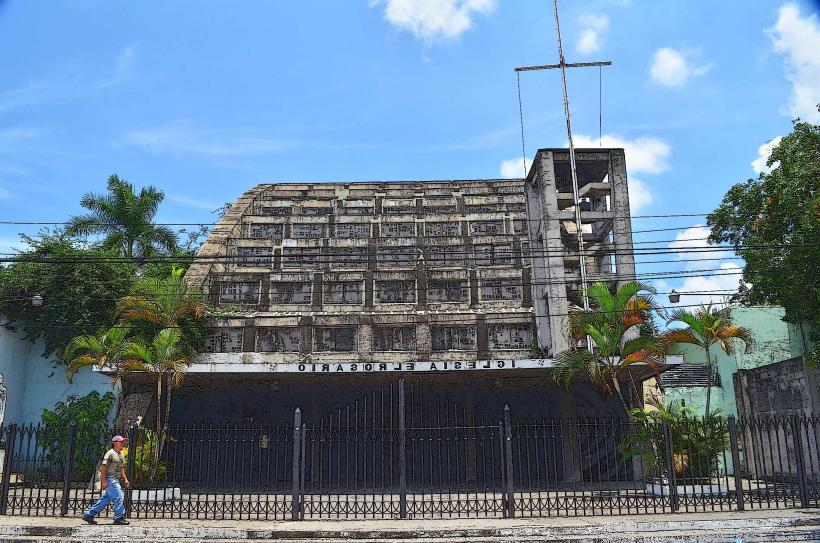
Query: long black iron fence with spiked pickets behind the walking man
x,y
385,457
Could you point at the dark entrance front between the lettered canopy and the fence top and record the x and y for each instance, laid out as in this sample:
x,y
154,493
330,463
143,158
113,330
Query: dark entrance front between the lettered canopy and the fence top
x,y
433,399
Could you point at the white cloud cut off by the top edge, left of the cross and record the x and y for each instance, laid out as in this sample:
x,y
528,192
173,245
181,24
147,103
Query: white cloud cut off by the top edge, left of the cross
x,y
431,20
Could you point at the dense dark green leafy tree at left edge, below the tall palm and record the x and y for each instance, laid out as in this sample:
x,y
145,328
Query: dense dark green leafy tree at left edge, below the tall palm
x,y
80,286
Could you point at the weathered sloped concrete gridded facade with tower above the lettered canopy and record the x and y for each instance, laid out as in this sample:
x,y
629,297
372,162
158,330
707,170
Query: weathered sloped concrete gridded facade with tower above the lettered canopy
x,y
316,274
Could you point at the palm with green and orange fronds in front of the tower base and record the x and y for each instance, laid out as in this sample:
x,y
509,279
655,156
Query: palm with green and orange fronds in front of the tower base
x,y
620,326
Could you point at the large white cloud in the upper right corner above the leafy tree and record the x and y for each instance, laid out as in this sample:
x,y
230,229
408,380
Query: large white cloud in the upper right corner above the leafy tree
x,y
798,39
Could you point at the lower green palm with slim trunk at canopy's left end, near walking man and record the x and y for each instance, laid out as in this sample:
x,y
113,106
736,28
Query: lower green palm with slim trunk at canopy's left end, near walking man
x,y
165,361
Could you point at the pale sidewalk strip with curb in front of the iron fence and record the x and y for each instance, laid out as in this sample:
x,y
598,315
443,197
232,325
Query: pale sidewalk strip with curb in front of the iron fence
x,y
749,526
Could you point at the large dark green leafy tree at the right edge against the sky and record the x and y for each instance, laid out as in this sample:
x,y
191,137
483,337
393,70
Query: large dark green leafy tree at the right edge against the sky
x,y
774,223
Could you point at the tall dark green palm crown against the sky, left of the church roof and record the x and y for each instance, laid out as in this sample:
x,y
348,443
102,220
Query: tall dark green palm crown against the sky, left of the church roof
x,y
125,219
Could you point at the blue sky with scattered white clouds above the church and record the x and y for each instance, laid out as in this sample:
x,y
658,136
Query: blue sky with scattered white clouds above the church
x,y
206,99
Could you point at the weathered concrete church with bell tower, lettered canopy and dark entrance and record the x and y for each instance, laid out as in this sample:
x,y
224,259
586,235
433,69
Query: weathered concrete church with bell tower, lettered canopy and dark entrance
x,y
330,292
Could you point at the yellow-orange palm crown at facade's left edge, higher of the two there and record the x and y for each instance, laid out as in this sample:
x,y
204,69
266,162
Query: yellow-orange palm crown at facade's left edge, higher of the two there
x,y
166,303
